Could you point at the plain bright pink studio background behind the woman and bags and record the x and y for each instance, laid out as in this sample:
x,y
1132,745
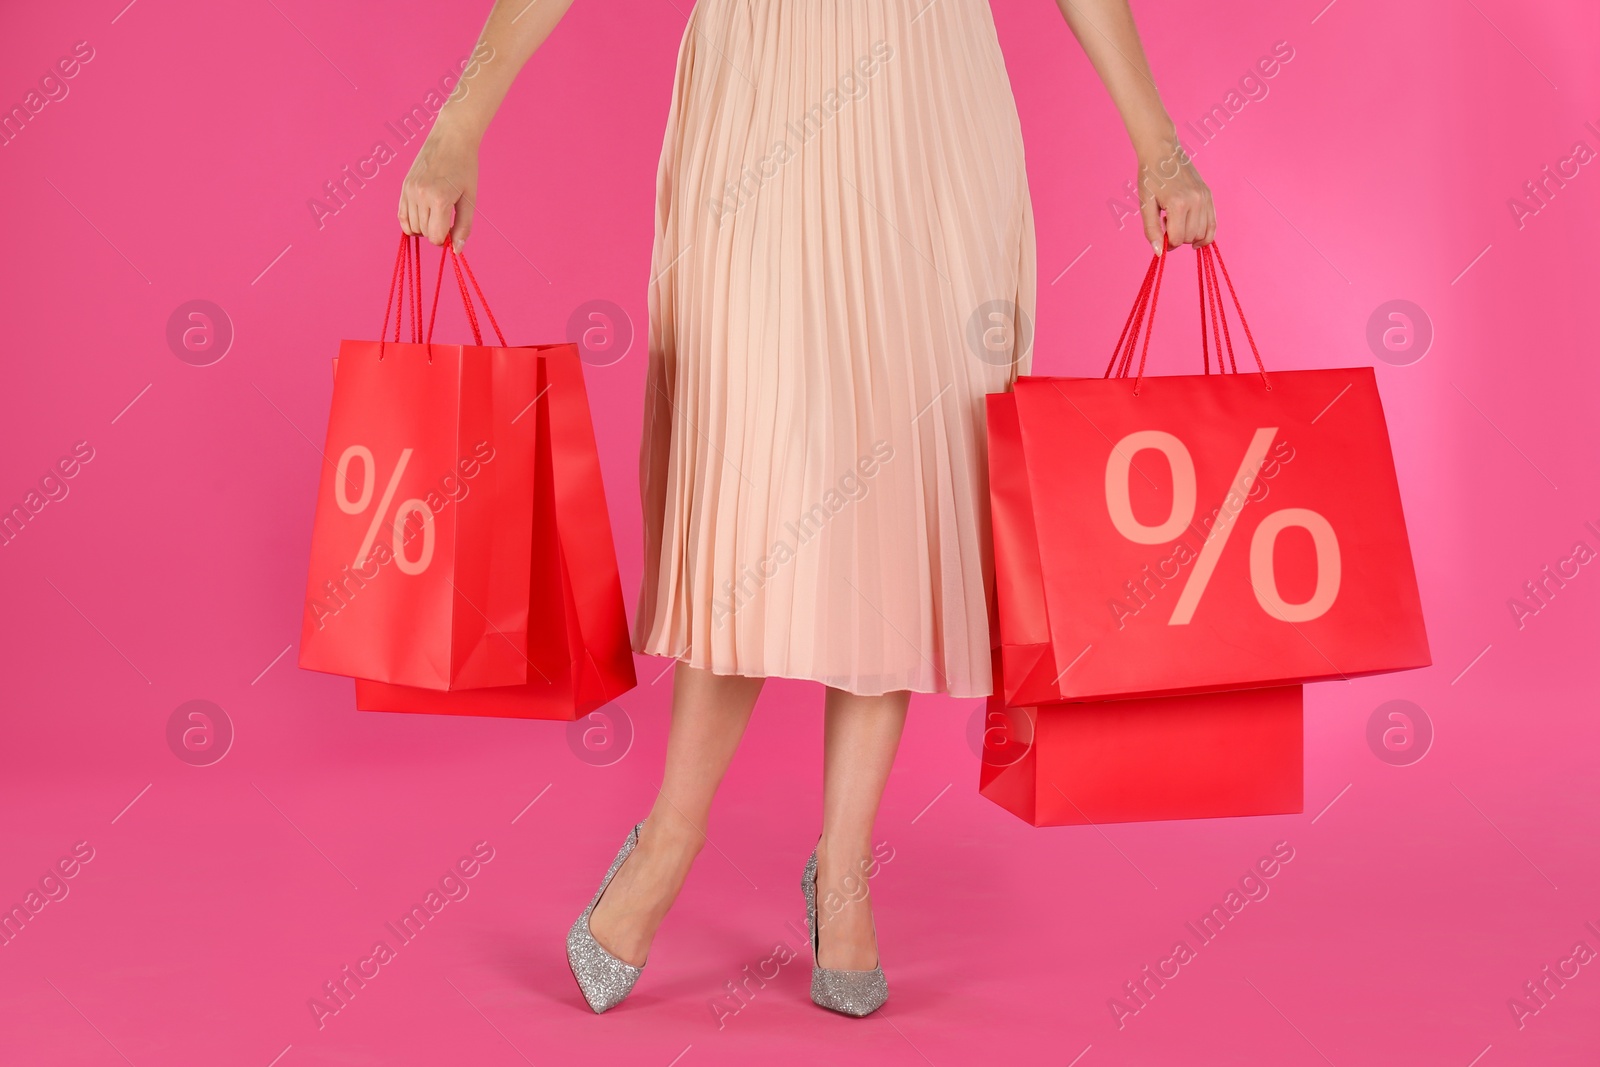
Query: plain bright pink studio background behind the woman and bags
x,y
225,897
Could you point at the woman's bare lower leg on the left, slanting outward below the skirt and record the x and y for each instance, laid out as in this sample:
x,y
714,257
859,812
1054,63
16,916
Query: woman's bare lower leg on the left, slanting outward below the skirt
x,y
710,714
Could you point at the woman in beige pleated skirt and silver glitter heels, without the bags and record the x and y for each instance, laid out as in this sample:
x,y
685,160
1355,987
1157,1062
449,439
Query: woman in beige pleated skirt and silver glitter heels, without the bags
x,y
844,268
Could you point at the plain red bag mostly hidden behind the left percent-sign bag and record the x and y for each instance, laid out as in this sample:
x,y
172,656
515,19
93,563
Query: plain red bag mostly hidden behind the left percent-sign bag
x,y
578,652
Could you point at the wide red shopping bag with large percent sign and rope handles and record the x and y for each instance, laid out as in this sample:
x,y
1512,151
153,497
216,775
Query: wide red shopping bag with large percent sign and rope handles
x,y
1196,533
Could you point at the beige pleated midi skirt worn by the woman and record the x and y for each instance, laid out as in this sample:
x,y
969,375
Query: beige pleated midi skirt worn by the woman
x,y
844,268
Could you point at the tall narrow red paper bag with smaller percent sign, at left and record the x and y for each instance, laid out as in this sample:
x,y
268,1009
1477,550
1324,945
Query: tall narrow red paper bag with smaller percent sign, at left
x,y
425,516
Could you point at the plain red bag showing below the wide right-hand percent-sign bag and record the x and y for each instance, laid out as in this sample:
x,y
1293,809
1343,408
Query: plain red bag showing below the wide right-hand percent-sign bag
x,y
1148,759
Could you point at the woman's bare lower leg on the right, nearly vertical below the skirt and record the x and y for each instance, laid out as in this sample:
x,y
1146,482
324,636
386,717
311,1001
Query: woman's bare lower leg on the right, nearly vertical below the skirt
x,y
860,738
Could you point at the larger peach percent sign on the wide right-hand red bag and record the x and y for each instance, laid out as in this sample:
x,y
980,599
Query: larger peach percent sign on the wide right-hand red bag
x,y
1263,573
